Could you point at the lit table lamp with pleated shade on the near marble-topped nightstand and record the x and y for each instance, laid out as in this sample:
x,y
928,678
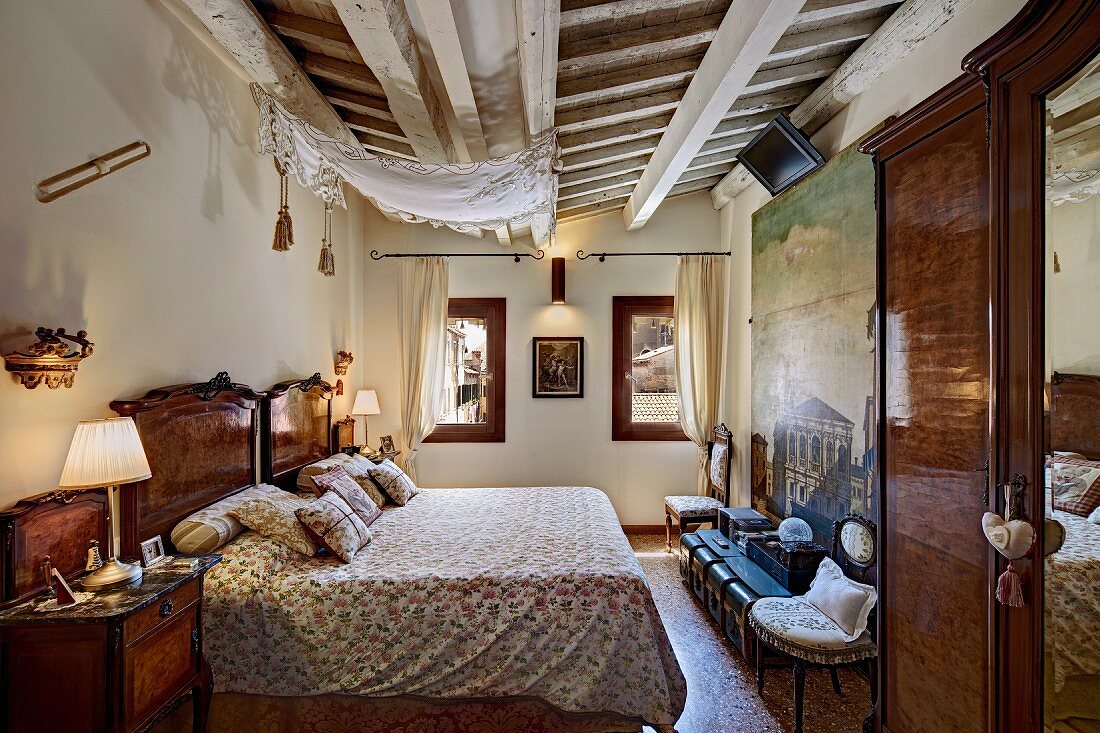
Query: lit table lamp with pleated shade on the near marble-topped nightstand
x,y
107,453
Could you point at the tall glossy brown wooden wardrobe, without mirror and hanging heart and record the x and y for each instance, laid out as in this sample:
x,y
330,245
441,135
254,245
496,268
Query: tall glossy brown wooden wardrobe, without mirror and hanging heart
x,y
961,206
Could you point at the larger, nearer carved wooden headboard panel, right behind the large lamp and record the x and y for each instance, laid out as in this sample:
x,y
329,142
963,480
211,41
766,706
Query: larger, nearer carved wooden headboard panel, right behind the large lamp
x,y
201,441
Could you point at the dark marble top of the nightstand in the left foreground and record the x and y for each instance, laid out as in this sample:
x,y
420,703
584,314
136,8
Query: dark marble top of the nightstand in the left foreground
x,y
122,601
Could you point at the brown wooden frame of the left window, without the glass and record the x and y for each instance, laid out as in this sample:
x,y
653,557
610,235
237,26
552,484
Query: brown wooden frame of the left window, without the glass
x,y
494,312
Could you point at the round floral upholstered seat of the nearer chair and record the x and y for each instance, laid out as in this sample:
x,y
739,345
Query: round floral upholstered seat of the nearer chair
x,y
794,627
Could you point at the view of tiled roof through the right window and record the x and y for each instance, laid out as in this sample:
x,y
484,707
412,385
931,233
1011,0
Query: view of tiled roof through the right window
x,y
653,370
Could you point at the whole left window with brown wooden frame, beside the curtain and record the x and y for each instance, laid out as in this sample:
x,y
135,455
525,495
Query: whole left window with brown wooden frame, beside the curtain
x,y
475,379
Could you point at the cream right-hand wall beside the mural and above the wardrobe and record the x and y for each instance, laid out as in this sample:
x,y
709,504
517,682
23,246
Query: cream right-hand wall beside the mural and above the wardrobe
x,y
928,69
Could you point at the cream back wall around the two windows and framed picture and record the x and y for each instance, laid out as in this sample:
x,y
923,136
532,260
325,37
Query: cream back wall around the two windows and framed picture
x,y
548,442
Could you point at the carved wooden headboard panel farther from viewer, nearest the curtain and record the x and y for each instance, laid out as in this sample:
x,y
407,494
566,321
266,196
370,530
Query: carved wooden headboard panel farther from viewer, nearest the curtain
x,y
296,419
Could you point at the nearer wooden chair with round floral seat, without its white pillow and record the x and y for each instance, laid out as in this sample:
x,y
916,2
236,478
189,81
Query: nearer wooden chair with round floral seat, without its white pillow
x,y
804,637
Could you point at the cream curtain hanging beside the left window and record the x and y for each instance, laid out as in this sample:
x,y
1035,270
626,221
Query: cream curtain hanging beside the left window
x,y
423,325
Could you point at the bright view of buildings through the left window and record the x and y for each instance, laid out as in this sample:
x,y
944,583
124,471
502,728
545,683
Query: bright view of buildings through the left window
x,y
467,378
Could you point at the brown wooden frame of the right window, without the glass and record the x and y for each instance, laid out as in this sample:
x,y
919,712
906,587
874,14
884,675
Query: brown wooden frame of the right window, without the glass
x,y
624,309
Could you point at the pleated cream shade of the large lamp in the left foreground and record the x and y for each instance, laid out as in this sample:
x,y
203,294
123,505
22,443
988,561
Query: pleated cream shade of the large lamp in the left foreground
x,y
105,453
